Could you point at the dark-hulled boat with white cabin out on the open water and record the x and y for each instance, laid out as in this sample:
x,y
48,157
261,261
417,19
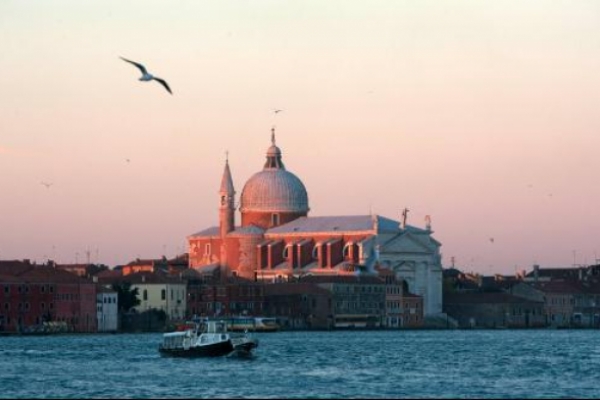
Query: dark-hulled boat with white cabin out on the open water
x,y
209,338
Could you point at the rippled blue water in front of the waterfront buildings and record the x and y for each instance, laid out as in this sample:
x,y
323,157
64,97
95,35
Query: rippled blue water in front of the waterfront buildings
x,y
374,364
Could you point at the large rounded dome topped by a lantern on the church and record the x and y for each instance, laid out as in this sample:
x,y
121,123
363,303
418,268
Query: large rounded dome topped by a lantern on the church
x,y
274,189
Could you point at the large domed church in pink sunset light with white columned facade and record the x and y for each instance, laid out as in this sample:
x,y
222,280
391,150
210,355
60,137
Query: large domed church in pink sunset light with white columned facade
x,y
278,241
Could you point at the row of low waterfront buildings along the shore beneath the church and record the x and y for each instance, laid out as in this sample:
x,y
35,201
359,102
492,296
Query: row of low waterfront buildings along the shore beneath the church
x,y
154,294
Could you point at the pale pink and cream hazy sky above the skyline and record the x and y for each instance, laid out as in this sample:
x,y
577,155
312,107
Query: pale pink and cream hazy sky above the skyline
x,y
482,114
